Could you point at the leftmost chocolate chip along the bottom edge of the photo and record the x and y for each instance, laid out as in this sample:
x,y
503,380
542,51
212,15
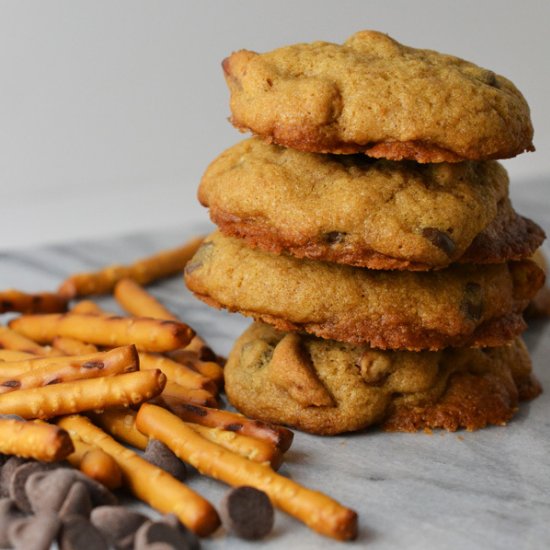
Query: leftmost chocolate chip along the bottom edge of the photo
x,y
35,532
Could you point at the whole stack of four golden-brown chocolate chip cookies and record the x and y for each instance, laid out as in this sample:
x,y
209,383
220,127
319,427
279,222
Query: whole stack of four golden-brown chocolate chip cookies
x,y
369,232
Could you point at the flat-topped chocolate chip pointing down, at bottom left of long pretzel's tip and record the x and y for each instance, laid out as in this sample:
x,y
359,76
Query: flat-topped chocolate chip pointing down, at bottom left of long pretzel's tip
x,y
118,525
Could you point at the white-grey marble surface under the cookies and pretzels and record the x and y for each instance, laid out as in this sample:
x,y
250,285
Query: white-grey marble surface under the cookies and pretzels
x,y
484,490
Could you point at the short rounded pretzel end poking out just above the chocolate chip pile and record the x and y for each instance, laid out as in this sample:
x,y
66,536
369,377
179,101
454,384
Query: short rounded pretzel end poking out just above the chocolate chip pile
x,y
95,463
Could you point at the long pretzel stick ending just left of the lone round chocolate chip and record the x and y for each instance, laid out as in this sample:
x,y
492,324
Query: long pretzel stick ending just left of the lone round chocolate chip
x,y
149,483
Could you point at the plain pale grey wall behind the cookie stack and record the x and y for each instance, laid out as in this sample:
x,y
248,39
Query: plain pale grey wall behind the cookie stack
x,y
110,111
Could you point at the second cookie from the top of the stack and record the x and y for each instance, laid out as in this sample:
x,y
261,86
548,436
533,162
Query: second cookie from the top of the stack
x,y
371,213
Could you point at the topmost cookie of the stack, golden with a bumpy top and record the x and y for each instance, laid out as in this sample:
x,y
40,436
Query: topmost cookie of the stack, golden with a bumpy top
x,y
376,96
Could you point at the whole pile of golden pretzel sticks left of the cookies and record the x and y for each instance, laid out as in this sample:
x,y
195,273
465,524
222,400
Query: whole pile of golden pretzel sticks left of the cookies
x,y
93,387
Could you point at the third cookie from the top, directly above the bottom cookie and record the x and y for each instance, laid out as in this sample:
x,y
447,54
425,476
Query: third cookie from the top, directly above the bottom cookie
x,y
458,306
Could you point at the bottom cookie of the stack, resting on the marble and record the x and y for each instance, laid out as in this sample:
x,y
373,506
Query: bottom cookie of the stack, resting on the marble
x,y
279,376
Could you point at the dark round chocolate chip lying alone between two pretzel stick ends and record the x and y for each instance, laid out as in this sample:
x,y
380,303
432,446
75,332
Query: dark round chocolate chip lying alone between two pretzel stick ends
x,y
247,512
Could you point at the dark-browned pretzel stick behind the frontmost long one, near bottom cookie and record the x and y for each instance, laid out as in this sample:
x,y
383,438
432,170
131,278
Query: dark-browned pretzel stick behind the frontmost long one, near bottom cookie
x,y
234,422
